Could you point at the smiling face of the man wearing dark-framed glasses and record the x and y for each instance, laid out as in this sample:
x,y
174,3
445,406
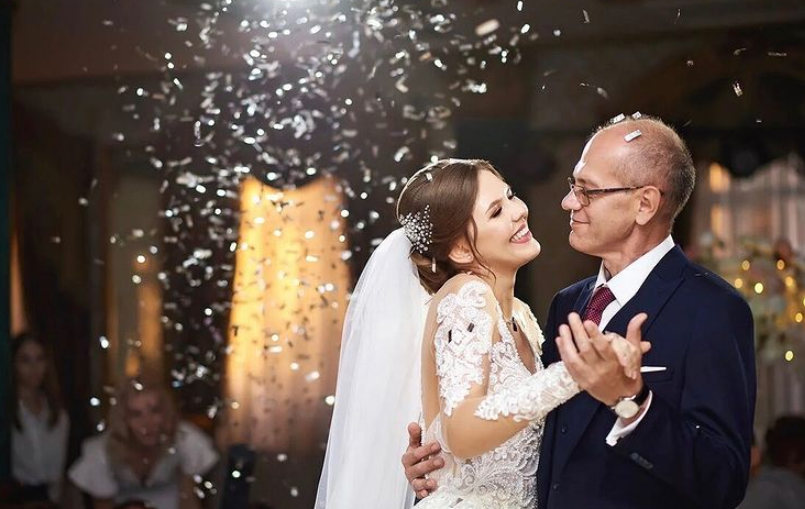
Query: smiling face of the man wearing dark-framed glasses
x,y
601,227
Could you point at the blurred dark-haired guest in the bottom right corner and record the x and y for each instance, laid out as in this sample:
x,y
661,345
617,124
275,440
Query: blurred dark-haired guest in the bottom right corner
x,y
781,484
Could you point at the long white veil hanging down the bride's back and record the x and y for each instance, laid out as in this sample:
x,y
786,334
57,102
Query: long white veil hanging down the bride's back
x,y
379,388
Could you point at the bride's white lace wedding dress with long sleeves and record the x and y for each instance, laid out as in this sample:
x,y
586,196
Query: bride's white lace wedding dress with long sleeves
x,y
468,353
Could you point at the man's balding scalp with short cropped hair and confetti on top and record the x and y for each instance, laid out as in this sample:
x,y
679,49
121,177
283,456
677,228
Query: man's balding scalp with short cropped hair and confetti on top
x,y
658,156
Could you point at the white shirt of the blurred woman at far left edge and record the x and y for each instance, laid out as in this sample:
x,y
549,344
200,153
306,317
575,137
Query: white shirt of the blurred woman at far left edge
x,y
38,451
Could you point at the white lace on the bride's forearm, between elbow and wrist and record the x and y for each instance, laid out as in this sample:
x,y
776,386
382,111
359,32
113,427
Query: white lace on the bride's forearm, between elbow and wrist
x,y
542,392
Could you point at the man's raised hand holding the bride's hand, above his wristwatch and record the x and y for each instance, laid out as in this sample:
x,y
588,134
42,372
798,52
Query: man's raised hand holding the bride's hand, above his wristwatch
x,y
594,363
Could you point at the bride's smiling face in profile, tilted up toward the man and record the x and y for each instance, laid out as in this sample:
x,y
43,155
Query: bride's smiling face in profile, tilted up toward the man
x,y
504,240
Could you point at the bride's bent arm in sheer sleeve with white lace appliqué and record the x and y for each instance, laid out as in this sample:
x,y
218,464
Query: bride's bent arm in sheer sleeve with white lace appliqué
x,y
474,422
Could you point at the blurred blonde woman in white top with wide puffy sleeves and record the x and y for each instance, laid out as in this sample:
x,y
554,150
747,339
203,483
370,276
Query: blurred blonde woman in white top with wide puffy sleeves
x,y
146,454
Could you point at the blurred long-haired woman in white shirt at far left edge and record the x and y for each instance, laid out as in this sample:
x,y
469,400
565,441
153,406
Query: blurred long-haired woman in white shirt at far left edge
x,y
39,423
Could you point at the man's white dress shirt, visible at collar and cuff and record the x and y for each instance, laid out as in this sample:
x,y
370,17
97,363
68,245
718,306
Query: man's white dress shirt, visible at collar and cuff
x,y
625,285
